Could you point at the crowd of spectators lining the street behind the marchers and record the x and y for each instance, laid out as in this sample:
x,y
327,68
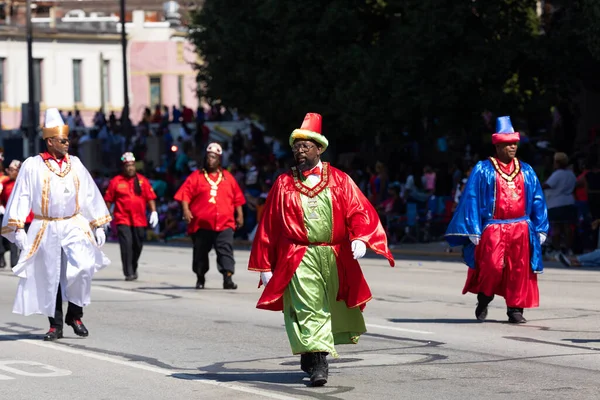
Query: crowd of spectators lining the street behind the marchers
x,y
415,200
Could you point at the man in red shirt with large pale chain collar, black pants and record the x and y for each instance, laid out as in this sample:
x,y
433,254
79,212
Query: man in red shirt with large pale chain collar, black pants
x,y
210,199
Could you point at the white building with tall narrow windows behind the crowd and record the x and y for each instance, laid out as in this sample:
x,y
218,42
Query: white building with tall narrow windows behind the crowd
x,y
72,70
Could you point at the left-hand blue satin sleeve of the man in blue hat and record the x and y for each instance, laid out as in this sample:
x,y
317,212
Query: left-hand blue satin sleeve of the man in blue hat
x,y
466,221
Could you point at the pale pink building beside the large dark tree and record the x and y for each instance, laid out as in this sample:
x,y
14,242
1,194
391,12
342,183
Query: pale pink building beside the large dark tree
x,y
161,66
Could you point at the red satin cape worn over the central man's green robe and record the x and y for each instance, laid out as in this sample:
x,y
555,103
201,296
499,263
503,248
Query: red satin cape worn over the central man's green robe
x,y
281,239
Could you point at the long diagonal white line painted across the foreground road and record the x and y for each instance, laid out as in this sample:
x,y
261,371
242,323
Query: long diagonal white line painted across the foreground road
x,y
156,370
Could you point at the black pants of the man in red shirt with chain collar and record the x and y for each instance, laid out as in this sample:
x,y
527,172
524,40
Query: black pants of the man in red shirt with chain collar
x,y
204,241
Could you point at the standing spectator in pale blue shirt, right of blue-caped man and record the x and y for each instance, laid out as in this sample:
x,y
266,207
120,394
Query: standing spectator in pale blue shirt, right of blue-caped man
x,y
560,201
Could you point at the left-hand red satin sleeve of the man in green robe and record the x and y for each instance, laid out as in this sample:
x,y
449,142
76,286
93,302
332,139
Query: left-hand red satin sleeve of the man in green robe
x,y
263,256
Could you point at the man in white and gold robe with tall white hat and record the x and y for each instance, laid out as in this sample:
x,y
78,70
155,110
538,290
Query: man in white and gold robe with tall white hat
x,y
61,250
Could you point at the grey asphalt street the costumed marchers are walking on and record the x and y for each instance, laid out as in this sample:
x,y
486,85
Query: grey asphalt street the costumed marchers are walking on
x,y
159,338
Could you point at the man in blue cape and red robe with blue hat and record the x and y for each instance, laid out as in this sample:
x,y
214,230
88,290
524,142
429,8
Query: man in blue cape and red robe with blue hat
x,y
501,222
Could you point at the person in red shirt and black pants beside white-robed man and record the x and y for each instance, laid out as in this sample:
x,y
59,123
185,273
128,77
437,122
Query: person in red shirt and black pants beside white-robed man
x,y
131,192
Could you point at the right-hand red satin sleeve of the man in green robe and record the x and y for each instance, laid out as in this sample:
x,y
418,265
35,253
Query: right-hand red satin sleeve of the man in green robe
x,y
363,221
